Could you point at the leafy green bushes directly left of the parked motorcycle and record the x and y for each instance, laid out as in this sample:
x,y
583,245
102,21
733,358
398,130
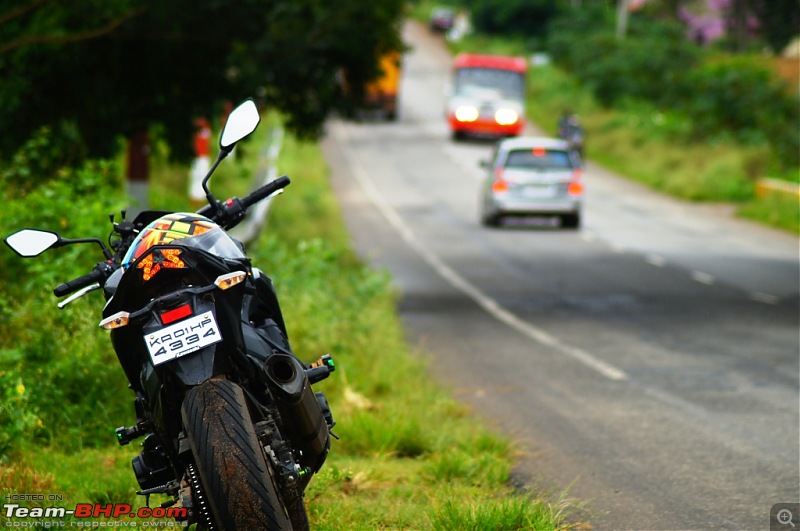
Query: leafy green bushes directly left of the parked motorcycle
x,y
57,365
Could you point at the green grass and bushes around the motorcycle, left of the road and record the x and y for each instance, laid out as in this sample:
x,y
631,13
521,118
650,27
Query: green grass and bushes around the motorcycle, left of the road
x,y
409,457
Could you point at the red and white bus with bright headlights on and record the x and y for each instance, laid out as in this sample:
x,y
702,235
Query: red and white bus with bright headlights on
x,y
487,95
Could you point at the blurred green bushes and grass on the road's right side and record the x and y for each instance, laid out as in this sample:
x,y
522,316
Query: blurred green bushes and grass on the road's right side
x,y
699,124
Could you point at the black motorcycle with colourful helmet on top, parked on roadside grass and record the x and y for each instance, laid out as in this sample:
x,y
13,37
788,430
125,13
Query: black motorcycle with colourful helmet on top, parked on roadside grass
x,y
233,431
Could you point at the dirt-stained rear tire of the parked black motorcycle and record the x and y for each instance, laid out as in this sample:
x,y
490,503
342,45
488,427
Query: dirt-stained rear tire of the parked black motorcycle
x,y
233,469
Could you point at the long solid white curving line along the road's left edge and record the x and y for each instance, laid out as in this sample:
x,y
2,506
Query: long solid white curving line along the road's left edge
x,y
457,281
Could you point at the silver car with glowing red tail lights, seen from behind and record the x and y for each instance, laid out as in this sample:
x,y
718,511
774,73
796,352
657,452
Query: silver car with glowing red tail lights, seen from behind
x,y
532,176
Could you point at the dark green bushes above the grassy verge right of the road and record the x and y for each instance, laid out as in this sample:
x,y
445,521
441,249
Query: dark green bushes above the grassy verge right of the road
x,y
727,98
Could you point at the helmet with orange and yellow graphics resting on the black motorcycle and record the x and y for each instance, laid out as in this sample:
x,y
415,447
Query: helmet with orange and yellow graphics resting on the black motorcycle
x,y
192,230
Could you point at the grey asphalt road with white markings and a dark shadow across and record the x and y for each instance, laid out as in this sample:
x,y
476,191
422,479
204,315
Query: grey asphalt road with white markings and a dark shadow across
x,y
647,364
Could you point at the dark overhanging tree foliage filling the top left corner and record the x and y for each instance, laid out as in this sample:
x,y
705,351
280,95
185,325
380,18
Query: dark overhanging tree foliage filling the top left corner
x,y
118,68
